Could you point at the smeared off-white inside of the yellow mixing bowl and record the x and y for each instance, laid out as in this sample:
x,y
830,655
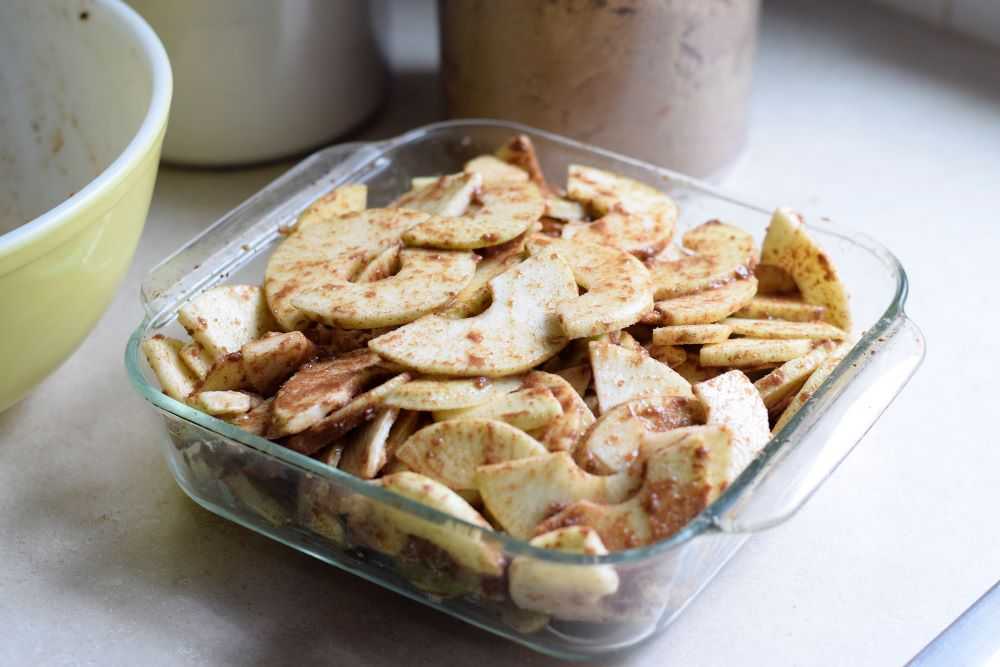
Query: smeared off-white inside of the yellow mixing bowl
x,y
74,90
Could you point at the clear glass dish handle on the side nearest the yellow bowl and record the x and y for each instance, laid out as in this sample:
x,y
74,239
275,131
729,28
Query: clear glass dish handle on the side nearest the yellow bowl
x,y
245,230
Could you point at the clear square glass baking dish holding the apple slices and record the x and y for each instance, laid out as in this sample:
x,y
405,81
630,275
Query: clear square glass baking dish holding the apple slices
x,y
301,502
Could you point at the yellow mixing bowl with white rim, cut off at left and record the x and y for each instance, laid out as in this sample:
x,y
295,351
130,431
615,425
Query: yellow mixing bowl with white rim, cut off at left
x,y
85,88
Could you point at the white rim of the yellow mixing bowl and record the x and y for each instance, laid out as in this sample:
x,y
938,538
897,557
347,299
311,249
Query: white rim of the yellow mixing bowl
x,y
138,147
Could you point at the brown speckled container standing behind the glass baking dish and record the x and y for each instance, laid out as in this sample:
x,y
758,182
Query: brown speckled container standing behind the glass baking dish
x,y
665,81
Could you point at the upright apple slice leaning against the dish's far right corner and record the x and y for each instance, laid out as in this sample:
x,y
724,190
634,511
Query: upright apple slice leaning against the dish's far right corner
x,y
787,245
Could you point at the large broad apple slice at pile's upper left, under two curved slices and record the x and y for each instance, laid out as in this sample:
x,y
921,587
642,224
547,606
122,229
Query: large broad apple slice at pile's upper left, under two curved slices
x,y
329,252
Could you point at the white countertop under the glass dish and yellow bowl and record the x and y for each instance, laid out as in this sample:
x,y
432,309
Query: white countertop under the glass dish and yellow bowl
x,y
857,115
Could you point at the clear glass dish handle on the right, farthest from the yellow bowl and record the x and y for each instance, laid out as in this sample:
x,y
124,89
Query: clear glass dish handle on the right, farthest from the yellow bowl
x,y
836,420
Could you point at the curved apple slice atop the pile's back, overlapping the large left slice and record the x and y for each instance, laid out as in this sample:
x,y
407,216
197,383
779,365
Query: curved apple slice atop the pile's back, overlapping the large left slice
x,y
507,209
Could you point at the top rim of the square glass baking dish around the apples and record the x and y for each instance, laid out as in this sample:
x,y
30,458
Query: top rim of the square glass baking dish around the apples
x,y
706,521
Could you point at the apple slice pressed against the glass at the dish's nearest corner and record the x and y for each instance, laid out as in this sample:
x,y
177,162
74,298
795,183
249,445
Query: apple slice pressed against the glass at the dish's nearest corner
x,y
567,592
